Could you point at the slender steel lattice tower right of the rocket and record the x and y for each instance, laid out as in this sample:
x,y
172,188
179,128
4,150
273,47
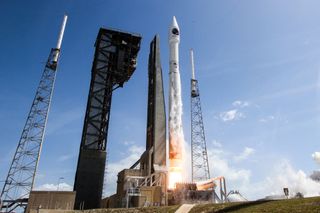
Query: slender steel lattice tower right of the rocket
x,y
199,156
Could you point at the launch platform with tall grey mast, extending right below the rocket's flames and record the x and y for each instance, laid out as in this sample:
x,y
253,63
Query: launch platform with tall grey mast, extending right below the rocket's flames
x,y
145,183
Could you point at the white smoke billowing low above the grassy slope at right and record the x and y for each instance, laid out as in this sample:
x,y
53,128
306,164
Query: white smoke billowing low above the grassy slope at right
x,y
281,175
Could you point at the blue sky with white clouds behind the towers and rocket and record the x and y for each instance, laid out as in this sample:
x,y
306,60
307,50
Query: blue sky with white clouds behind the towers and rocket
x,y
257,63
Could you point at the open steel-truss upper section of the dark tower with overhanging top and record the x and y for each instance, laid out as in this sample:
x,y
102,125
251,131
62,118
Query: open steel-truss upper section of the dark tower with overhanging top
x,y
114,63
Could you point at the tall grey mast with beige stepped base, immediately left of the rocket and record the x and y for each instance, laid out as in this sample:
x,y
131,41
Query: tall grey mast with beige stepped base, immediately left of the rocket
x,y
145,182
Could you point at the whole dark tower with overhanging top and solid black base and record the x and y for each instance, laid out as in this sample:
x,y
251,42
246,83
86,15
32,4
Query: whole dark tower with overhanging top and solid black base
x,y
114,63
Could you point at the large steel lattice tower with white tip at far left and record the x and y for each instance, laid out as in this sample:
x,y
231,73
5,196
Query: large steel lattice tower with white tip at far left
x,y
21,175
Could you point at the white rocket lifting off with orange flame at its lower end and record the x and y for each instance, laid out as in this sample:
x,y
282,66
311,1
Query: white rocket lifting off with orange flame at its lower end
x,y
176,138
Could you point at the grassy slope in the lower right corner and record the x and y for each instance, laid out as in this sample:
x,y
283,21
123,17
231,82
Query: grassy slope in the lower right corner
x,y
302,205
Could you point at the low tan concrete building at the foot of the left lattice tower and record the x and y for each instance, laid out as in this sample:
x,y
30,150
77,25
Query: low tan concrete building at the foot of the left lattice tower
x,y
62,200
